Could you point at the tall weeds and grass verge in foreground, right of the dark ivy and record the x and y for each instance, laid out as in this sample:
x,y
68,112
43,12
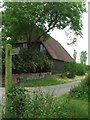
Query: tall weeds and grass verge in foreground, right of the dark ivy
x,y
50,106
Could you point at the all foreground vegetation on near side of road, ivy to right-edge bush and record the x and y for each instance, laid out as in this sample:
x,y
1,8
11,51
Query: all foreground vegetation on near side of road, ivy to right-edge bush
x,y
38,104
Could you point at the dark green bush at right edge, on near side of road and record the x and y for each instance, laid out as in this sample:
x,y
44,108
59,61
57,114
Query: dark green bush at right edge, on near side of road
x,y
81,91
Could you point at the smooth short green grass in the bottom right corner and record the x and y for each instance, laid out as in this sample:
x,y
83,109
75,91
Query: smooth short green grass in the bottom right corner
x,y
75,108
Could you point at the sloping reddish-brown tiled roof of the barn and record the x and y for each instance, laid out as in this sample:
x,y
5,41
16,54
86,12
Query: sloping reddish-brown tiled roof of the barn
x,y
56,50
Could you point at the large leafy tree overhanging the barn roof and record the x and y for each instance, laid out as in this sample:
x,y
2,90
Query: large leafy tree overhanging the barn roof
x,y
34,20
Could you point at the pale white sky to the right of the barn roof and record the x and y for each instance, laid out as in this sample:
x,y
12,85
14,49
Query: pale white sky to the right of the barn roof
x,y
82,43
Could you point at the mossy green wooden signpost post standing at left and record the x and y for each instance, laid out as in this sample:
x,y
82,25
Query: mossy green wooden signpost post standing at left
x,y
8,73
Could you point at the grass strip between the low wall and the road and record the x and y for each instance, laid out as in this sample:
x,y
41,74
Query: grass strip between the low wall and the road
x,y
50,80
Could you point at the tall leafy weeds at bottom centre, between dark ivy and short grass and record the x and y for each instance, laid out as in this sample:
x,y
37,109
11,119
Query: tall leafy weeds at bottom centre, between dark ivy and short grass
x,y
43,105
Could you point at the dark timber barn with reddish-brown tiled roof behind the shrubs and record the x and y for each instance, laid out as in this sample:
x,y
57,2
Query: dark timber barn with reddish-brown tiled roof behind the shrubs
x,y
53,49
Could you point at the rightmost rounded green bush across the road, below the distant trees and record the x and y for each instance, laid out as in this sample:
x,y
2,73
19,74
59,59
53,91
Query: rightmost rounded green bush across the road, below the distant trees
x,y
81,69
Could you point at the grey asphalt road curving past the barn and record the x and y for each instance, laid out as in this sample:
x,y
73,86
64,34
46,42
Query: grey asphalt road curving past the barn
x,y
56,89
